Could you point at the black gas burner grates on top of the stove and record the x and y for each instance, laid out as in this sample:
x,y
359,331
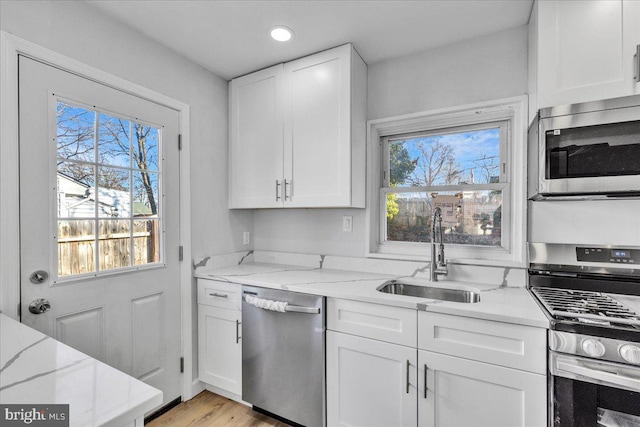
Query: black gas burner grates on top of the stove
x,y
586,306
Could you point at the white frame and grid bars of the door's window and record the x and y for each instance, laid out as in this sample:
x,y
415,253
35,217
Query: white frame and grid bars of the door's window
x,y
56,280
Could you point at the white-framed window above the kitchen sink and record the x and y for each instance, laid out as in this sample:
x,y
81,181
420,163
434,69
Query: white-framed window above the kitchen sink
x,y
470,163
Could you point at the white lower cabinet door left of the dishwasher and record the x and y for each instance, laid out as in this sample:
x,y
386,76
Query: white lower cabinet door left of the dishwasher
x,y
219,348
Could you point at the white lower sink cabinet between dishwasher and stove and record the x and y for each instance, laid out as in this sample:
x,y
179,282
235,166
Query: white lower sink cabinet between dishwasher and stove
x,y
478,373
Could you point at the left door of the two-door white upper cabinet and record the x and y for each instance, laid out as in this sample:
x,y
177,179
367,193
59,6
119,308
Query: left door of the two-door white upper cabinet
x,y
255,139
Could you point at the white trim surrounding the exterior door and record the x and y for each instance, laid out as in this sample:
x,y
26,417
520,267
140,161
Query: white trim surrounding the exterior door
x,y
12,46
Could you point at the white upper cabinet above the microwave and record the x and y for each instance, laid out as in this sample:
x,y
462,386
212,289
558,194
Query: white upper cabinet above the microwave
x,y
582,51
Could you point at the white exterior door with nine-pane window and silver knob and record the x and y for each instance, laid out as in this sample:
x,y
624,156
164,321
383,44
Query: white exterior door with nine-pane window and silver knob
x,y
99,223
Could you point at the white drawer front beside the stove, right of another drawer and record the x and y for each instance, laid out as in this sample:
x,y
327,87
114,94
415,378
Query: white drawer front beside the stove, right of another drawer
x,y
504,344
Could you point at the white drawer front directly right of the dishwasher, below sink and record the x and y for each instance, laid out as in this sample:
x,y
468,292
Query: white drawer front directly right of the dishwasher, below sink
x,y
391,324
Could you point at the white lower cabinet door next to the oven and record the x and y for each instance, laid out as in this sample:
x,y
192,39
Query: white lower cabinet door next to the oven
x,y
462,392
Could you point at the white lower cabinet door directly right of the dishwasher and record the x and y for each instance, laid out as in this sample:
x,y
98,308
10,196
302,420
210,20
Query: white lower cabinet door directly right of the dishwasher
x,y
369,383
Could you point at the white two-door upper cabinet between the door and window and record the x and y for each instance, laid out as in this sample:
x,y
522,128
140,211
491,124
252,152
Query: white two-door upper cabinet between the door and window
x,y
298,133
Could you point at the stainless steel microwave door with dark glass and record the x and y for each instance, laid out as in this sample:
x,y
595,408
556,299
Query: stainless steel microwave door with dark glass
x,y
590,153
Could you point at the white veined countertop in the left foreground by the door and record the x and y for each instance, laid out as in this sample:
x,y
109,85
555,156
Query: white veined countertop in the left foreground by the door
x,y
38,370
